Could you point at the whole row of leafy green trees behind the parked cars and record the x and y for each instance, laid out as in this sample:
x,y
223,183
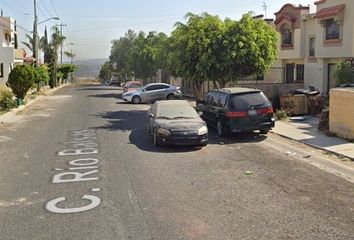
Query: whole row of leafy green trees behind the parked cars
x,y
203,48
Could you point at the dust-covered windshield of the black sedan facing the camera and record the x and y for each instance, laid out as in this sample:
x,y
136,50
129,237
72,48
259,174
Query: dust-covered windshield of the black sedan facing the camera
x,y
174,111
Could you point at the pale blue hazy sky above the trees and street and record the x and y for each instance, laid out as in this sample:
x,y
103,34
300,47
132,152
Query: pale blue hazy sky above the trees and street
x,y
91,25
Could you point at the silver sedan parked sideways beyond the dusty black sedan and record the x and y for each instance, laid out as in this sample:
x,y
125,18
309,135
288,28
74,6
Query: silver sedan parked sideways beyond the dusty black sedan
x,y
152,92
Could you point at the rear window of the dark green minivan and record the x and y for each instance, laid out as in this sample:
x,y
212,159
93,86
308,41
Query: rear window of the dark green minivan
x,y
246,101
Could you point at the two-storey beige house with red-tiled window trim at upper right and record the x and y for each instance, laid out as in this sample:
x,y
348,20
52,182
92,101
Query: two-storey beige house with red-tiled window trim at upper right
x,y
312,43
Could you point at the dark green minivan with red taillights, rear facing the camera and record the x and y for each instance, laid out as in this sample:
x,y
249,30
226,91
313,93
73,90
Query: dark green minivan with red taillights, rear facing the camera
x,y
234,110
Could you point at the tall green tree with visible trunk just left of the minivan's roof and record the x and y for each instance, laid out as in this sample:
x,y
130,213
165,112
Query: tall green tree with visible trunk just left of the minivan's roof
x,y
193,49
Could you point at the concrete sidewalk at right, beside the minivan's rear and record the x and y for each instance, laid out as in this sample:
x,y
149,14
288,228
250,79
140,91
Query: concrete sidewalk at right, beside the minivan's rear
x,y
306,132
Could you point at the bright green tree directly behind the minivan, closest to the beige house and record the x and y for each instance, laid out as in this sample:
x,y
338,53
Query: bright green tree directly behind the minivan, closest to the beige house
x,y
249,47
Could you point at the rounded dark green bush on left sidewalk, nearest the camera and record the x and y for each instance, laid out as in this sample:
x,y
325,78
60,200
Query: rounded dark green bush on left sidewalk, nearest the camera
x,y
21,79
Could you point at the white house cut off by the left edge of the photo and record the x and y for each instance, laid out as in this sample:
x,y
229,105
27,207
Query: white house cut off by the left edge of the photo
x,y
8,45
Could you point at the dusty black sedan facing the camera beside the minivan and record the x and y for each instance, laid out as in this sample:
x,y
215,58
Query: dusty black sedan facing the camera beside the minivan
x,y
177,123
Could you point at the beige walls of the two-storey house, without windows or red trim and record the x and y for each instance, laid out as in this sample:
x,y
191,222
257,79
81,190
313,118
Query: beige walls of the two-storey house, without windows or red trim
x,y
316,71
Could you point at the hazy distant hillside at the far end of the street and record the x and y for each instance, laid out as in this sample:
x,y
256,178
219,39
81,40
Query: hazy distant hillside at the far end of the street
x,y
88,68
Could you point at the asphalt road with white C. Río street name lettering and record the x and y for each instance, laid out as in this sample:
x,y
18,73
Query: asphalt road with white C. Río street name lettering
x,y
78,165
